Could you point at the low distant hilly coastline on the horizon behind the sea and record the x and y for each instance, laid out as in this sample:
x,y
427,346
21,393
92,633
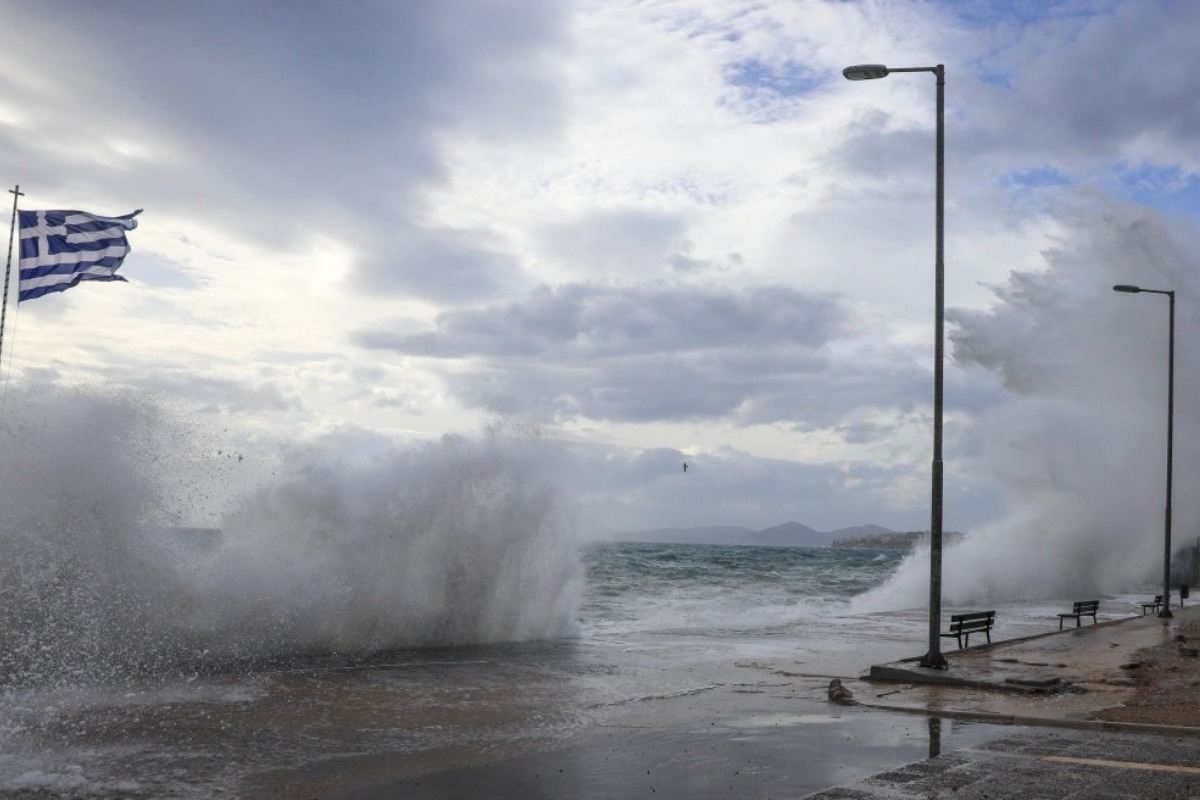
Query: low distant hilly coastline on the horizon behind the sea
x,y
791,534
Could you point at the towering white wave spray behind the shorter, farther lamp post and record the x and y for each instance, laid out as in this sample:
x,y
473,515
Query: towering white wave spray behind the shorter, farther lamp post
x,y
1081,438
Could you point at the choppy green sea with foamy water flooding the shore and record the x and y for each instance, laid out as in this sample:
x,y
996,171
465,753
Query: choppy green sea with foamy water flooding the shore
x,y
653,622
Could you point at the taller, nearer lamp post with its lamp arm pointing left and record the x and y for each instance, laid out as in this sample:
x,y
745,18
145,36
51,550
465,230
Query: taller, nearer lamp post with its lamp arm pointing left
x,y
933,659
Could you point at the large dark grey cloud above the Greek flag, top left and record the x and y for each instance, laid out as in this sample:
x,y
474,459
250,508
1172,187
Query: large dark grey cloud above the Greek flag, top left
x,y
278,122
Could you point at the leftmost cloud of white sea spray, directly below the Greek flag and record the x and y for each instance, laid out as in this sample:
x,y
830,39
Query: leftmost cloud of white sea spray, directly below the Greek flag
x,y
77,590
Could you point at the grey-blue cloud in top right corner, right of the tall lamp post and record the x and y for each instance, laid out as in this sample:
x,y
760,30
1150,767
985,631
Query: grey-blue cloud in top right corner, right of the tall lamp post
x,y
1079,93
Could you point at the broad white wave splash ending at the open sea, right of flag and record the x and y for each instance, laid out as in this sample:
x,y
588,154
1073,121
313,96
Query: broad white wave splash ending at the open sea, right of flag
x,y
460,542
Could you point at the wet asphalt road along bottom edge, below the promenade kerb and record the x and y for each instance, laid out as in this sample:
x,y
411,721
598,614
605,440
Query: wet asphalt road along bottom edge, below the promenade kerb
x,y
945,761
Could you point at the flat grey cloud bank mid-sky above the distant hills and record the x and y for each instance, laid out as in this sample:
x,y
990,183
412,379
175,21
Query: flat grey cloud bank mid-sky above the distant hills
x,y
635,354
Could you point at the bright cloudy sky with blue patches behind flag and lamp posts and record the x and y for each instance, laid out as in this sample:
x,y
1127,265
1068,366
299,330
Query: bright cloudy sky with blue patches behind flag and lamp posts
x,y
663,231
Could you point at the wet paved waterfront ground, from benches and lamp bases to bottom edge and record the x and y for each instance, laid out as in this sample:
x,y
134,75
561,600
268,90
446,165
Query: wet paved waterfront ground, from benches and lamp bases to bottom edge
x,y
1004,721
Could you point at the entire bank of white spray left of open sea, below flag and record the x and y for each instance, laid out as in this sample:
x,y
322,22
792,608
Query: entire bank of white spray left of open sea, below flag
x,y
465,540
